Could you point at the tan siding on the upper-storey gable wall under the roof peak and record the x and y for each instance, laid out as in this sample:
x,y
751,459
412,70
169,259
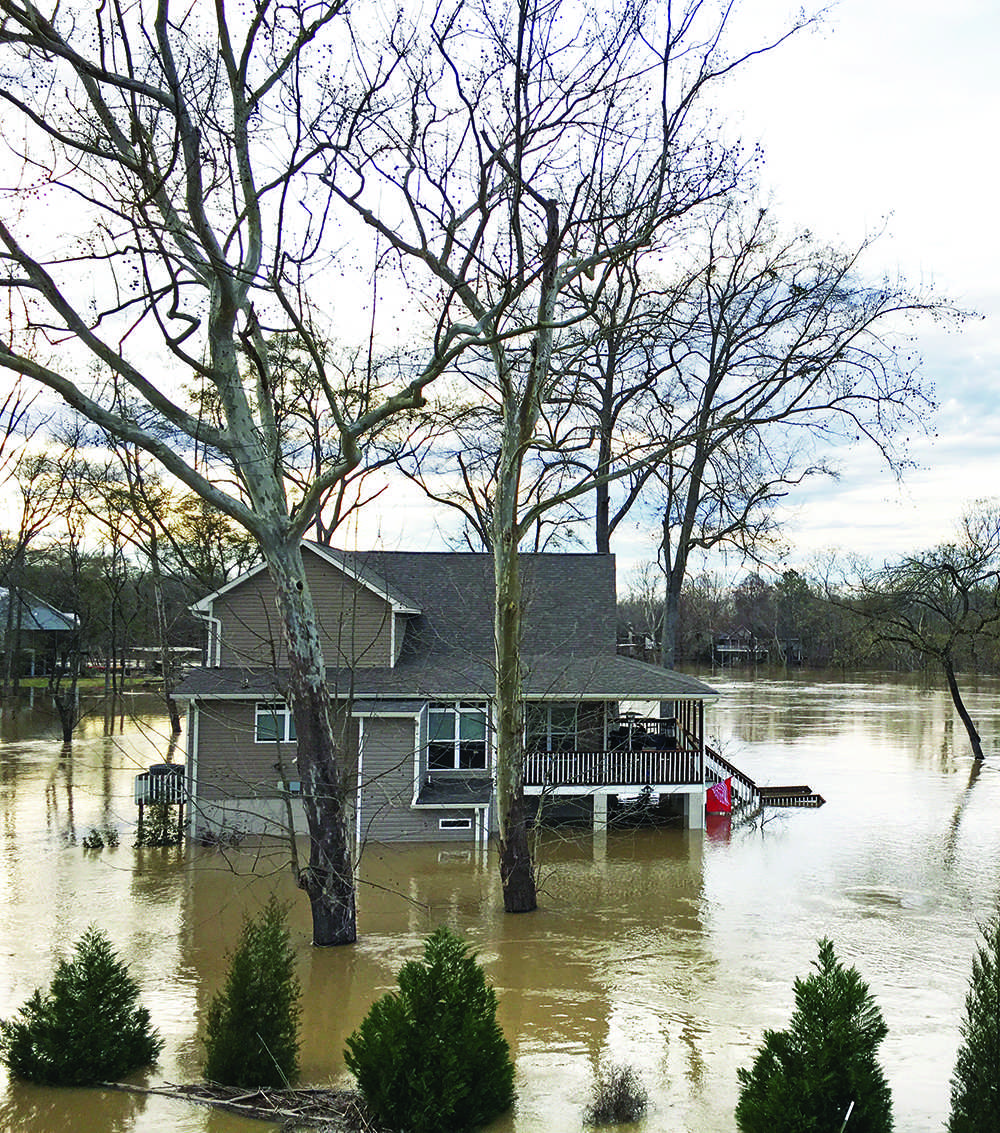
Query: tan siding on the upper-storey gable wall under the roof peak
x,y
355,624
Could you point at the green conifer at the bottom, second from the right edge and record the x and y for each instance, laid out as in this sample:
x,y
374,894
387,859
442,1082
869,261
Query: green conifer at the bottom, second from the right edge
x,y
807,1078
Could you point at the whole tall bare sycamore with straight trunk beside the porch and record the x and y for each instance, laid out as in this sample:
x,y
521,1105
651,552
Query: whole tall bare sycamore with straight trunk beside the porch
x,y
552,155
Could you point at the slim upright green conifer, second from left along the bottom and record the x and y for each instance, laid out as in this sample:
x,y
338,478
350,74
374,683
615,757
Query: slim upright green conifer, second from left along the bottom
x,y
253,1025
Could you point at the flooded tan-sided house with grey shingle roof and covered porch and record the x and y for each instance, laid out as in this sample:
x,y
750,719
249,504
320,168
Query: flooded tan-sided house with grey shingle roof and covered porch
x,y
408,638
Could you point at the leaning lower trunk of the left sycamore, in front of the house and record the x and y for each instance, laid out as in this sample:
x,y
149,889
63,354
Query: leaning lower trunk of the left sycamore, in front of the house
x,y
329,879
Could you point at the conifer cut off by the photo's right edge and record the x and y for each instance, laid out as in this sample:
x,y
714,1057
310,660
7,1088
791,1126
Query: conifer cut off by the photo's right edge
x,y
976,1087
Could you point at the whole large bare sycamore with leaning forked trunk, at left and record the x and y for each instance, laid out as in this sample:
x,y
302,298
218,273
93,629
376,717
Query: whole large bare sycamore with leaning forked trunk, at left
x,y
182,149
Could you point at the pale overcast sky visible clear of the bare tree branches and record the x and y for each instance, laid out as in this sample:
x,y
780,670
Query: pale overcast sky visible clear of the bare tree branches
x,y
887,116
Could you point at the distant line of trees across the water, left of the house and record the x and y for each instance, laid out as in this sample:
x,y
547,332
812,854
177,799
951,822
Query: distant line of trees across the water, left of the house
x,y
101,539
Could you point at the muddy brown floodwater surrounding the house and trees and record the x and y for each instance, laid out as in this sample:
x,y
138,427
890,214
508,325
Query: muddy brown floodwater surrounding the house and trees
x,y
665,950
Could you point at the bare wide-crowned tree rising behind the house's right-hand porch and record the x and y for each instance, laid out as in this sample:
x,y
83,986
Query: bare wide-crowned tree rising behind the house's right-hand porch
x,y
768,348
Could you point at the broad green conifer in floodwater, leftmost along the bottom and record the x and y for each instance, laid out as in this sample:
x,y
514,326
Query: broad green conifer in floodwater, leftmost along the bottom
x,y
88,1029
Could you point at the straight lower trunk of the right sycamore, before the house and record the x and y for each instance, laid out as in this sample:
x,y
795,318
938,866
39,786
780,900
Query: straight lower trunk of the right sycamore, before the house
x,y
516,861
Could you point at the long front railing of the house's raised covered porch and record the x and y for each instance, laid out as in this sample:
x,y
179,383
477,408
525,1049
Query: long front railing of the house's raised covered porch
x,y
606,769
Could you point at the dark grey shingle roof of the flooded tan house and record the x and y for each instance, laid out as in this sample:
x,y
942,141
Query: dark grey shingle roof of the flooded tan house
x,y
569,646
